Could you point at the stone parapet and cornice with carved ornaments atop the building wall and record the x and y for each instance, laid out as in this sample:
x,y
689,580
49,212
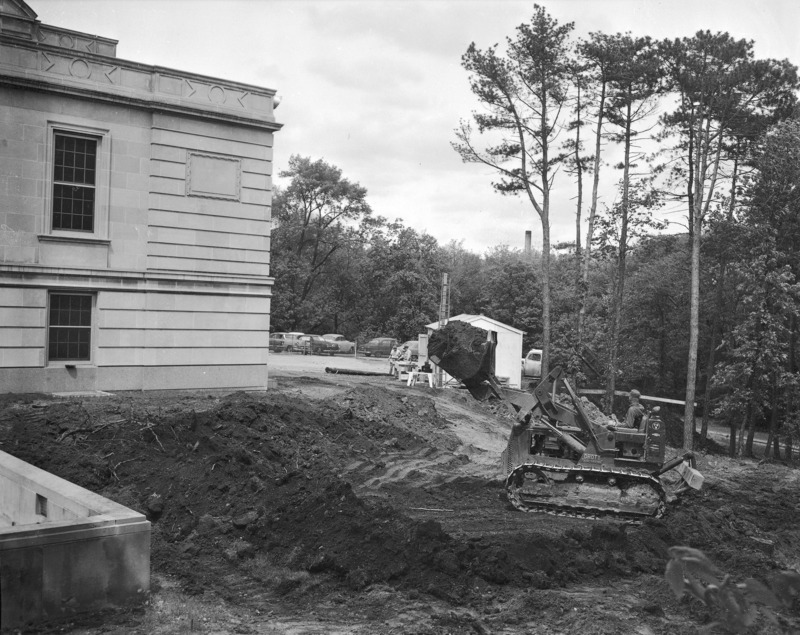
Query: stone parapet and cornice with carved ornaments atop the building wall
x,y
83,73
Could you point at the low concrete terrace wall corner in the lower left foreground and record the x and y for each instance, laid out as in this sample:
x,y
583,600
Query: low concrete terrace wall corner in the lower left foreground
x,y
68,549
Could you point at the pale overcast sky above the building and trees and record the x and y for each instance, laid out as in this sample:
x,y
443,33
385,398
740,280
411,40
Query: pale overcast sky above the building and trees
x,y
376,88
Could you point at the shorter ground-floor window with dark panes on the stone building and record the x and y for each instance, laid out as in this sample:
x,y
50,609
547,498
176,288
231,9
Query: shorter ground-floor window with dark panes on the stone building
x,y
69,327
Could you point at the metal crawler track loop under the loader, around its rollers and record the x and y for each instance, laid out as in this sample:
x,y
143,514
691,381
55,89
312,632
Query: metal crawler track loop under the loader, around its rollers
x,y
587,511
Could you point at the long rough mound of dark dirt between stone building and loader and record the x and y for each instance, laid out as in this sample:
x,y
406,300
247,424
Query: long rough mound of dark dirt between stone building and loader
x,y
246,474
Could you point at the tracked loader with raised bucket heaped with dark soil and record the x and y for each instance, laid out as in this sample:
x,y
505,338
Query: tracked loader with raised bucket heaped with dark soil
x,y
561,459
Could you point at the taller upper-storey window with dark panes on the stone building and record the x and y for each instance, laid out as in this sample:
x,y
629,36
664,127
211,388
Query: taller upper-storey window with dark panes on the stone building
x,y
74,171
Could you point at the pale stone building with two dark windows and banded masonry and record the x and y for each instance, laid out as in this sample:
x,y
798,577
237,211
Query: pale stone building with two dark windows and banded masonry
x,y
134,218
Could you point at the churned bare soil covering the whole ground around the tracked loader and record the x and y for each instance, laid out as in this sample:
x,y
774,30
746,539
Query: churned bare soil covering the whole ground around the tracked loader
x,y
360,505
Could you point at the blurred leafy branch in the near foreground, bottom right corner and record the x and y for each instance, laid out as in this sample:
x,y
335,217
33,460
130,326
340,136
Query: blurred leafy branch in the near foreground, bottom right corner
x,y
736,606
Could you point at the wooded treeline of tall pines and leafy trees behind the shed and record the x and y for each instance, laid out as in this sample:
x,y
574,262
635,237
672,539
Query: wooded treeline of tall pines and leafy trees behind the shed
x,y
697,124
